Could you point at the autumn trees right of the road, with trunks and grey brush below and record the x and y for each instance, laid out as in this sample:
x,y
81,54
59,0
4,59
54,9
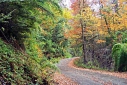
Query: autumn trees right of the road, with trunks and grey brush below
x,y
102,23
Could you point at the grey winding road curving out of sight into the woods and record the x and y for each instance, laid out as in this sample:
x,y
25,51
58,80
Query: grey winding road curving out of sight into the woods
x,y
88,77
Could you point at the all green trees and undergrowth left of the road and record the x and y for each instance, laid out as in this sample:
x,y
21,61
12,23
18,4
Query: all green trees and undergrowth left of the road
x,y
37,28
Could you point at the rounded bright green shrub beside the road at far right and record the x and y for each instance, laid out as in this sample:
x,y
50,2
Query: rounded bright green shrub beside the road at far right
x,y
119,54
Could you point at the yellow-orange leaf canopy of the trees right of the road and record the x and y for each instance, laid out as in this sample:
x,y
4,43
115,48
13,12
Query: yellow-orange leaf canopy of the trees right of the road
x,y
109,20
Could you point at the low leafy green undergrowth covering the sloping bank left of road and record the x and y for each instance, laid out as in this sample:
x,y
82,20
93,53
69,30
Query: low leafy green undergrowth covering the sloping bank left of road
x,y
18,68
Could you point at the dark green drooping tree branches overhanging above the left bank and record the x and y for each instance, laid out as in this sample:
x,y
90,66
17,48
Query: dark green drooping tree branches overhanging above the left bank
x,y
21,16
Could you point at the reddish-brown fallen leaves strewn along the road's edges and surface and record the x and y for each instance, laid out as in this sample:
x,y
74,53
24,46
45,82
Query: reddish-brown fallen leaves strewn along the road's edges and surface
x,y
61,79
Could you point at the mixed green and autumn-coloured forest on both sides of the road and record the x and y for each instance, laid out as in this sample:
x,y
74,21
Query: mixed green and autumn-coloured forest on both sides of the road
x,y
37,34
